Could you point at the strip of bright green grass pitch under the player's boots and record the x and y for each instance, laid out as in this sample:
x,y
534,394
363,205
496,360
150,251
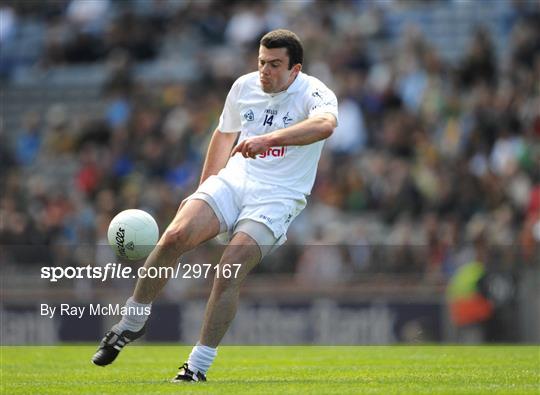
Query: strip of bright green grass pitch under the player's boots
x,y
146,369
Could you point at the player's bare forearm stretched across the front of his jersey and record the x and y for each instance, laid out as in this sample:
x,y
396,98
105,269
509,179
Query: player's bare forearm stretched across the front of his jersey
x,y
306,132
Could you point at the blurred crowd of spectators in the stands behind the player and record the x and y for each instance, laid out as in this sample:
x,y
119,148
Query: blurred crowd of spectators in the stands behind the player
x,y
431,154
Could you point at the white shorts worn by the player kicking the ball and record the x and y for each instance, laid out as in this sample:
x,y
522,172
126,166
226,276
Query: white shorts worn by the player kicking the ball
x,y
244,205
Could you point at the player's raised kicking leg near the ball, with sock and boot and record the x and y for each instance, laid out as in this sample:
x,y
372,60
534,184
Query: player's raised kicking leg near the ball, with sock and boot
x,y
194,223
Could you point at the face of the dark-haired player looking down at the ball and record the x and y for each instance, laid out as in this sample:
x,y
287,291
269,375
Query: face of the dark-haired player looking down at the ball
x,y
274,72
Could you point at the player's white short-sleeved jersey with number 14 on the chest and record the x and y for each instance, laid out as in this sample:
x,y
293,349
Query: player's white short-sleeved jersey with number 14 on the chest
x,y
252,112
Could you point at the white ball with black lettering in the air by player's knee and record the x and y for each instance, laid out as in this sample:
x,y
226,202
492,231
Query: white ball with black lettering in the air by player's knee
x,y
133,234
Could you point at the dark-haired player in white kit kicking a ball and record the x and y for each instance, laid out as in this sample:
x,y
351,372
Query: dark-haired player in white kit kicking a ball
x,y
253,191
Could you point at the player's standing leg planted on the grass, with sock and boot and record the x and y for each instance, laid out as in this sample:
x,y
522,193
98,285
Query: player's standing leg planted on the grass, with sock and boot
x,y
222,304
